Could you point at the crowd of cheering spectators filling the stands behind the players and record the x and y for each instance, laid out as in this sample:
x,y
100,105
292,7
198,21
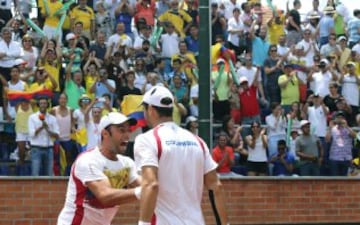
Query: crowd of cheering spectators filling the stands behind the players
x,y
288,107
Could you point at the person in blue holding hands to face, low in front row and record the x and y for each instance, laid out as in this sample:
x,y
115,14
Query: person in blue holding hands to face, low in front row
x,y
283,161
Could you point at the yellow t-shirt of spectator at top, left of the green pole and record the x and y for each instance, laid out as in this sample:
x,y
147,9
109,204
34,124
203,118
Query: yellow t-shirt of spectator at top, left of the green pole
x,y
177,19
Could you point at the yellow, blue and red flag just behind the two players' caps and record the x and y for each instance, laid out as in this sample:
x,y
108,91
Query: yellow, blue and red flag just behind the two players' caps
x,y
131,107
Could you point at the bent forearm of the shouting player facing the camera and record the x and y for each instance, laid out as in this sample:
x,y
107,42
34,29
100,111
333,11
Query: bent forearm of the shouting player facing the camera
x,y
109,196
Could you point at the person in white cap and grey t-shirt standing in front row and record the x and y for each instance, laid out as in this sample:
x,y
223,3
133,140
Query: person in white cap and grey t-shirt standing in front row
x,y
310,151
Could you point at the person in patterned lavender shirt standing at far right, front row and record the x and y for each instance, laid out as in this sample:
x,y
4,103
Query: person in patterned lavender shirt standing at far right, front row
x,y
341,137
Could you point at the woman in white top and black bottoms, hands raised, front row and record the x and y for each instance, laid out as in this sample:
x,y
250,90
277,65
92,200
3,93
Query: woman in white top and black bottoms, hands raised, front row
x,y
257,144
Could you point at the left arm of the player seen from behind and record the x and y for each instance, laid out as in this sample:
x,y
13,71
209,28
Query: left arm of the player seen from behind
x,y
149,192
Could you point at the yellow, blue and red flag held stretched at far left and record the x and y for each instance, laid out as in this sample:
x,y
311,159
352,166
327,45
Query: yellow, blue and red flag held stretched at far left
x,y
15,97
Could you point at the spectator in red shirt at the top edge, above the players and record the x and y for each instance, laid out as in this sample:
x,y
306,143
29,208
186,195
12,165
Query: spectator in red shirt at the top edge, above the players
x,y
146,9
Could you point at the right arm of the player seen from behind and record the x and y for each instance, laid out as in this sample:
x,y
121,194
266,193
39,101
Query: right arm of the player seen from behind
x,y
213,183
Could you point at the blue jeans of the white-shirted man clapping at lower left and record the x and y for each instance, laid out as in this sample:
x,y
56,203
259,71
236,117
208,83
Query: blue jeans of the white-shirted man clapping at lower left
x,y
42,161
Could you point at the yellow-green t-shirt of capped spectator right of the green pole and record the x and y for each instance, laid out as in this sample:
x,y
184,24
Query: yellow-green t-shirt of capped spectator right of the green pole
x,y
290,93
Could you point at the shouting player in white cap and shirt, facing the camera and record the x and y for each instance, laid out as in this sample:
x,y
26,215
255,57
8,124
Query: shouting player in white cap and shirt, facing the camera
x,y
93,177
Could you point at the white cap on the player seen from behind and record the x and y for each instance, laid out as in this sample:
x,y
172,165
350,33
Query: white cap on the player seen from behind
x,y
159,96
